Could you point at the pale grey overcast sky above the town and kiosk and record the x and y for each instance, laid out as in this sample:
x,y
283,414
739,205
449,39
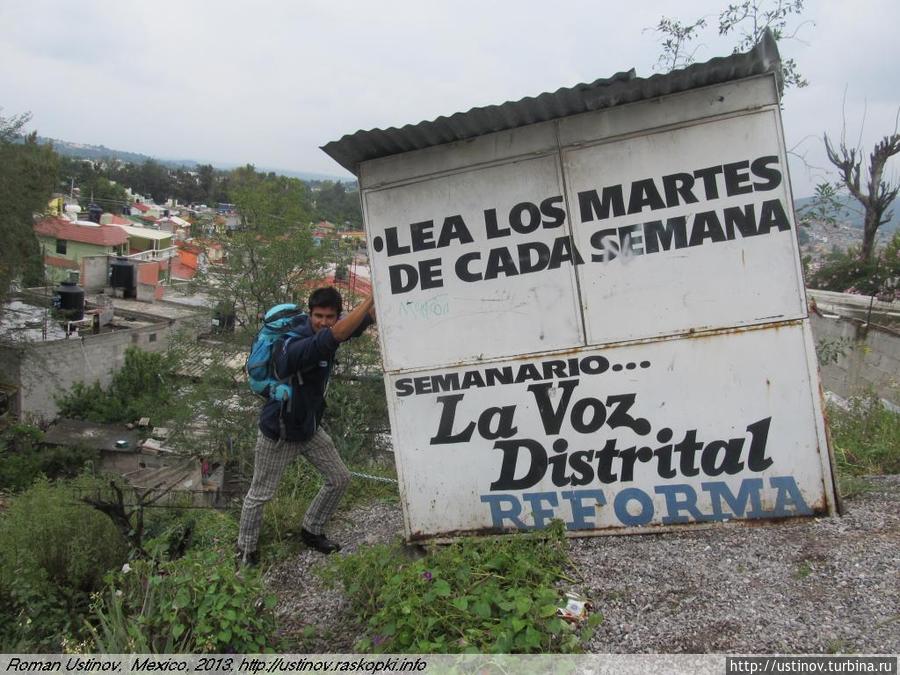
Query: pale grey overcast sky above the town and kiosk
x,y
268,82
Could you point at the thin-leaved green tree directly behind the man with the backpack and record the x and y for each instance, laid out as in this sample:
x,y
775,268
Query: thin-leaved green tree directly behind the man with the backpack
x,y
271,259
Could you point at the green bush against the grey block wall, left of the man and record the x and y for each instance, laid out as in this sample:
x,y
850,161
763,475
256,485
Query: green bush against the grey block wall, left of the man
x,y
143,383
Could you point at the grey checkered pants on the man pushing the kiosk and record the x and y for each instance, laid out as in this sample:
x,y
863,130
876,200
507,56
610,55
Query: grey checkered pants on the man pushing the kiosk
x,y
271,459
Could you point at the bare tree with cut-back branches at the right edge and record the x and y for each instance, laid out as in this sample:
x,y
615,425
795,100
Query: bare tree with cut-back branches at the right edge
x,y
880,193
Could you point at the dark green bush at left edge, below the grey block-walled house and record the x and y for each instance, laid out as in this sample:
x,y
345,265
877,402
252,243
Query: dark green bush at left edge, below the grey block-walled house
x,y
22,459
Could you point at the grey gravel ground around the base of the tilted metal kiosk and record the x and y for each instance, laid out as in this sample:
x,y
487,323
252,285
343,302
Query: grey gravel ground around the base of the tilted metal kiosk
x,y
816,586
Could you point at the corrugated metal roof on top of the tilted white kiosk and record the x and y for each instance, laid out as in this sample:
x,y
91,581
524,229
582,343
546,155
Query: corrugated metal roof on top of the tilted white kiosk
x,y
621,88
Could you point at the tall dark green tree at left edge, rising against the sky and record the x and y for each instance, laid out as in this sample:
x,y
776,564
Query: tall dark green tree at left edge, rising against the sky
x,y
27,177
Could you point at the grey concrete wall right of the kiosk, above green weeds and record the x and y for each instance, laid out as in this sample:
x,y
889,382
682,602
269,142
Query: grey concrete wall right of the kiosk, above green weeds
x,y
870,358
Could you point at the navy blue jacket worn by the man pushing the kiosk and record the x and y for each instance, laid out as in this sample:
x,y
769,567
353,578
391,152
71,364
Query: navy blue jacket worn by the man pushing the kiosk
x,y
311,355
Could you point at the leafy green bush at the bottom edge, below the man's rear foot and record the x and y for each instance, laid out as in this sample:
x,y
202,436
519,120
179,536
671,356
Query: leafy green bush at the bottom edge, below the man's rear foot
x,y
197,604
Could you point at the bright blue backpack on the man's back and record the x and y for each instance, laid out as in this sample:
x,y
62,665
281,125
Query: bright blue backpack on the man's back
x,y
277,324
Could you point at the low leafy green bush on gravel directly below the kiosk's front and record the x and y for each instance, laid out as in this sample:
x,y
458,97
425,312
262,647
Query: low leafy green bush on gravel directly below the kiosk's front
x,y
475,596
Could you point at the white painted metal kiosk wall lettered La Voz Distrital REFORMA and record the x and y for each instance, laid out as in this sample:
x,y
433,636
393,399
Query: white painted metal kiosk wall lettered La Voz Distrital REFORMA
x,y
564,306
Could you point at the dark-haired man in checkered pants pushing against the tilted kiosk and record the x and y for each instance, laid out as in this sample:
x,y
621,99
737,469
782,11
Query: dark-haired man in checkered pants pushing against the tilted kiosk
x,y
295,430
